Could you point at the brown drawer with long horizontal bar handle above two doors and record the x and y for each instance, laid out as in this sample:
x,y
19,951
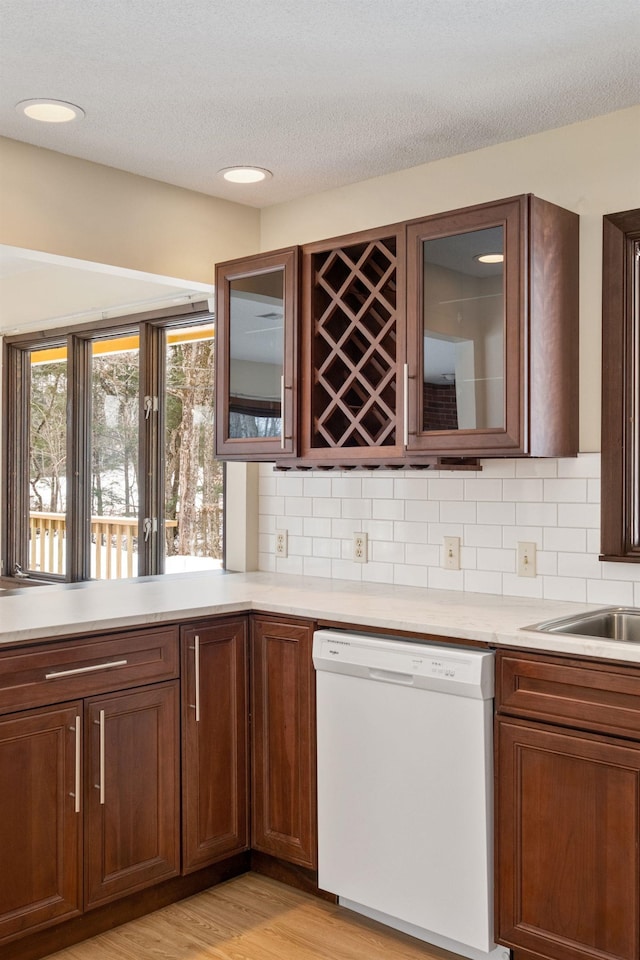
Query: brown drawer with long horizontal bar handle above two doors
x,y
55,672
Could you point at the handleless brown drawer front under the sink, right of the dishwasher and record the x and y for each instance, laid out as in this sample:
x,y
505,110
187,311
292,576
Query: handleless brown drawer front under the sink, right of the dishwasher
x,y
590,696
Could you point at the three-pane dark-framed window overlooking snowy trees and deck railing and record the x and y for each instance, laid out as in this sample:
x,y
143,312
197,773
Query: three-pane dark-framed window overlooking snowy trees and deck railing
x,y
110,467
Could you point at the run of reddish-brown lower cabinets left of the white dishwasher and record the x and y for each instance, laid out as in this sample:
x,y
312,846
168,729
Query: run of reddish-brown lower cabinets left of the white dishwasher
x,y
123,784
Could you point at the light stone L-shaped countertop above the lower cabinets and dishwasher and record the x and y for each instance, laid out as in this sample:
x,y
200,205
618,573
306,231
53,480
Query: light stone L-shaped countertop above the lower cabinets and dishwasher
x,y
51,611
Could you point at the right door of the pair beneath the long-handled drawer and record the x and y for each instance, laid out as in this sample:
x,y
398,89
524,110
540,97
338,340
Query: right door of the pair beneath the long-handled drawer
x,y
132,818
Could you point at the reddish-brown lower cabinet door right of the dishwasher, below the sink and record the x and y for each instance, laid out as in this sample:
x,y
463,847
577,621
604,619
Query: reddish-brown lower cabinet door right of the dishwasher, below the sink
x,y
568,829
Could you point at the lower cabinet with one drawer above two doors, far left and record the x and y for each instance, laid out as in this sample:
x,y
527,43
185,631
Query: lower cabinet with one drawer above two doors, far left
x,y
89,788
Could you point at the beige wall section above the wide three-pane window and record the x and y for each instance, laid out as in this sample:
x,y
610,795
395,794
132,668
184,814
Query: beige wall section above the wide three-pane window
x,y
84,210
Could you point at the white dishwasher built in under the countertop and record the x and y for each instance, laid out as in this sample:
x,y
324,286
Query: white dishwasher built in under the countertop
x,y
405,785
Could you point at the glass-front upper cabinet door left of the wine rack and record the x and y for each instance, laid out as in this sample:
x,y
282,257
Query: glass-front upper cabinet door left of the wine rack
x,y
256,356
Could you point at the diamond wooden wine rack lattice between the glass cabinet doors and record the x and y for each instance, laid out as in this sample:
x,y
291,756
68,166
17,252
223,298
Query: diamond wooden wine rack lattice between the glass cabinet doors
x,y
354,345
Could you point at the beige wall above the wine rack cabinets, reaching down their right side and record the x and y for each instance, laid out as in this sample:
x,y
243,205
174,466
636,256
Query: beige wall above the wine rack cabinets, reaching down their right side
x,y
592,168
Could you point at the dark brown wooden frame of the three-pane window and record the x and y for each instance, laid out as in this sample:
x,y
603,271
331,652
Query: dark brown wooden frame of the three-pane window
x,y
150,326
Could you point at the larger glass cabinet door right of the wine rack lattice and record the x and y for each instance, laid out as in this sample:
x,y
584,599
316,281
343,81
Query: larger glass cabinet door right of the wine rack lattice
x,y
464,329
